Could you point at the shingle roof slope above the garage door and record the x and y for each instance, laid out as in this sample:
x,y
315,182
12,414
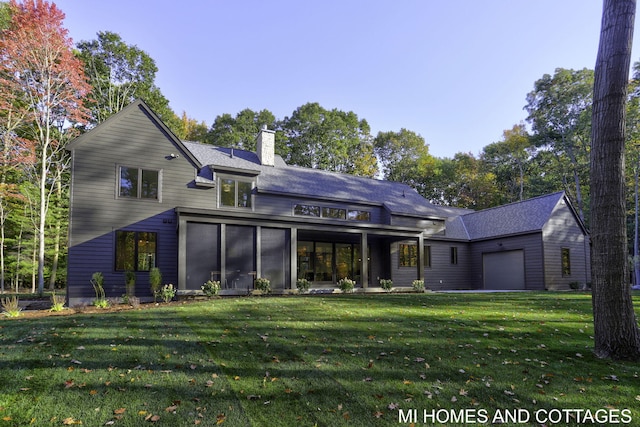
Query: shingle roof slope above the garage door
x,y
515,218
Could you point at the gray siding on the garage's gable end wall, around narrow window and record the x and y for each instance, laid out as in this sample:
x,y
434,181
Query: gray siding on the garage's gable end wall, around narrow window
x,y
563,231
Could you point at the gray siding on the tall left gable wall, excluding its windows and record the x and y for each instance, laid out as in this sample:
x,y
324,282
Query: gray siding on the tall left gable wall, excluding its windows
x,y
96,212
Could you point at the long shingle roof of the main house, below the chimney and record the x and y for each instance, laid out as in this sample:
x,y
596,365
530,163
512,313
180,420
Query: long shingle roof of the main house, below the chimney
x,y
314,183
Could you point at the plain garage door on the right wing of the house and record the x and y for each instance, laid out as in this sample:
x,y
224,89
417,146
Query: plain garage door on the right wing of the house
x,y
504,270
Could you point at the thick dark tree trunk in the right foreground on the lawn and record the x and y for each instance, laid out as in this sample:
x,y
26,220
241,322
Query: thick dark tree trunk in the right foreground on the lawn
x,y
616,334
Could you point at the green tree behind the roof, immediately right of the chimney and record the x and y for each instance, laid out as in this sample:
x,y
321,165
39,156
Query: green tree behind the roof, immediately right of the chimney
x,y
328,139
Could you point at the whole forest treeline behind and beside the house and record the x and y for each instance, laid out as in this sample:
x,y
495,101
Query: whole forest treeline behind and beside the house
x,y
52,90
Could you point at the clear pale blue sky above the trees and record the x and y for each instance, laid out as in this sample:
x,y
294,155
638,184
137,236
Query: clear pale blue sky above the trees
x,y
455,72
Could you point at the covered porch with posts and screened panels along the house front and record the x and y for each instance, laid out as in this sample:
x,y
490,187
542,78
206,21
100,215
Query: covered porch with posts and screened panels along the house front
x,y
235,251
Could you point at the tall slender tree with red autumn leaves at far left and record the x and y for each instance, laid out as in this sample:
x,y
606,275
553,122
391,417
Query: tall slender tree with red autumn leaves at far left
x,y
47,81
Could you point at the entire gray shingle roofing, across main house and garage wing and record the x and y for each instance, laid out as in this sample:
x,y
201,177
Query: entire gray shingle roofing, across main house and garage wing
x,y
515,218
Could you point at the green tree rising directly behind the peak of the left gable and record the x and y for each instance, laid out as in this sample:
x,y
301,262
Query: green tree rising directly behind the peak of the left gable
x,y
119,74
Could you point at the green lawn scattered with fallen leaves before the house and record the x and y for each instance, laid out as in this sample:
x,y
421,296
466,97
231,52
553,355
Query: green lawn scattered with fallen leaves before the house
x,y
364,360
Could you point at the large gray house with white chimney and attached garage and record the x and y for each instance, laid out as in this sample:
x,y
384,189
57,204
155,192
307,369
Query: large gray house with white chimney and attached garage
x,y
141,197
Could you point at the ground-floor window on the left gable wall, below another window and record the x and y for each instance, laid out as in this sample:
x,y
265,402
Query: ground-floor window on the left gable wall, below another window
x,y
135,250
